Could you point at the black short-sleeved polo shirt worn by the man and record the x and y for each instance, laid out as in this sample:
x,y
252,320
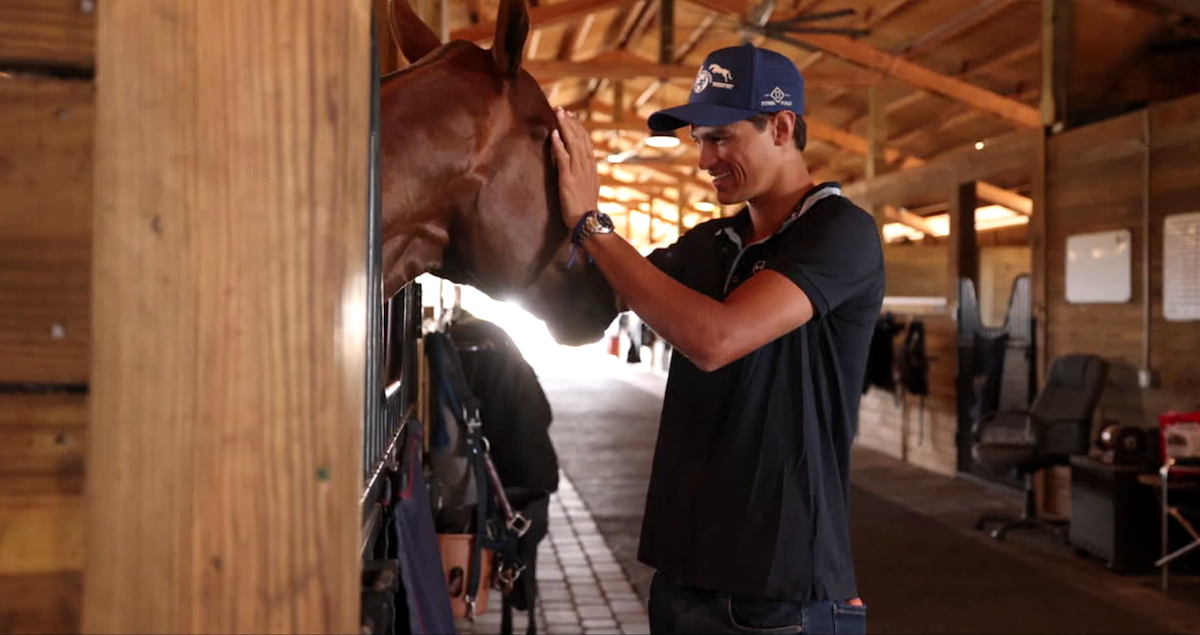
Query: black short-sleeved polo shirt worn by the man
x,y
749,492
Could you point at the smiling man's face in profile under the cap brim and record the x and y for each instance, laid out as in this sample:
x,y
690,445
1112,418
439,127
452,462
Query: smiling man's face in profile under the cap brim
x,y
741,159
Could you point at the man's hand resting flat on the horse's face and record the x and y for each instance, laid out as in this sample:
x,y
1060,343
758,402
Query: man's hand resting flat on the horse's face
x,y
579,183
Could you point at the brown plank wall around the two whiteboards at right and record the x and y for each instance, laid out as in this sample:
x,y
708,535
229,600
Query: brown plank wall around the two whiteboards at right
x,y
1095,183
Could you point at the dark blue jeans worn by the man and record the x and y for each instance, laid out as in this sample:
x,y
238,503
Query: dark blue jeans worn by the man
x,y
679,609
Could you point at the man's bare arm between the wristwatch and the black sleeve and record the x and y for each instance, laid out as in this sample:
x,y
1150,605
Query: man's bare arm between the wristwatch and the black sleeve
x,y
710,333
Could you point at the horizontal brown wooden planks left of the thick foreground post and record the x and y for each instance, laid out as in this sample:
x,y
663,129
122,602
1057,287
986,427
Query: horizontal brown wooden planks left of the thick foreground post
x,y
46,183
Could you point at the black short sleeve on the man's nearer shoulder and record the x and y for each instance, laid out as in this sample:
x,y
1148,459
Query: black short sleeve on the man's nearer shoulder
x,y
833,255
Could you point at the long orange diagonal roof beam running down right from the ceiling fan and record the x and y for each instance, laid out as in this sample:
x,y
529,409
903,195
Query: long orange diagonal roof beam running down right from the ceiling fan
x,y
872,58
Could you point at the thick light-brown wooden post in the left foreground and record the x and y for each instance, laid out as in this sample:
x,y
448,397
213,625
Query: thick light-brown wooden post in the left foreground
x,y
230,317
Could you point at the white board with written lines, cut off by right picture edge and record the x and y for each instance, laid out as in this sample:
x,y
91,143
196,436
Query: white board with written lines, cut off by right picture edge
x,y
1181,267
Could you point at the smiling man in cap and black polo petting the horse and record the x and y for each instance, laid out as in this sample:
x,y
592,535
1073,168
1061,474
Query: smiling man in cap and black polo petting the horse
x,y
772,314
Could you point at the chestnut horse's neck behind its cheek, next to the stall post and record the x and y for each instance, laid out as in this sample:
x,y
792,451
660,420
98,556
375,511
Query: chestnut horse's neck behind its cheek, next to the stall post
x,y
425,185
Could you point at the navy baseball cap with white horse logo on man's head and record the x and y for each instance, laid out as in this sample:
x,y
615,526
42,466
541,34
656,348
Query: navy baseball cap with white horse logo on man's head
x,y
736,83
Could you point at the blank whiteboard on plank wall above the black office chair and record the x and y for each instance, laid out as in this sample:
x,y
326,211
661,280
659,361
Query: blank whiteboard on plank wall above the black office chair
x,y
1100,268
